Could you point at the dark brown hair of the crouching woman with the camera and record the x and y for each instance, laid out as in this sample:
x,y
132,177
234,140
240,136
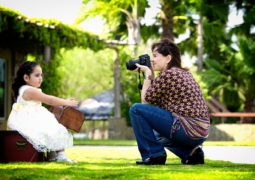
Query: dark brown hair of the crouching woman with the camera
x,y
167,47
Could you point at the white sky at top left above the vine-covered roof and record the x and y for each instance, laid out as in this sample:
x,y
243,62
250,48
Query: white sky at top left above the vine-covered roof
x,y
65,11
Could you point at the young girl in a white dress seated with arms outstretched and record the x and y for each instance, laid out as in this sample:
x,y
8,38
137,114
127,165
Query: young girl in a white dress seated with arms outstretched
x,y
35,122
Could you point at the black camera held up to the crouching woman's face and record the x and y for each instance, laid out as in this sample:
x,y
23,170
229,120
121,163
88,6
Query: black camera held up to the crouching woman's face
x,y
142,60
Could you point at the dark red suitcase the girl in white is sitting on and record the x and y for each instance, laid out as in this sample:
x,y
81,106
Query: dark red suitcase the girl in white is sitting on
x,y
13,148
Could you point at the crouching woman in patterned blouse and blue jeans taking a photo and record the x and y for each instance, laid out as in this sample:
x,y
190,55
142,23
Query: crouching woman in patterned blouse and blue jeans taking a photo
x,y
173,112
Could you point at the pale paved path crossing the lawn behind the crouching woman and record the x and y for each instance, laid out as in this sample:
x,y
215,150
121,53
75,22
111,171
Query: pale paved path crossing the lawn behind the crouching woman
x,y
235,154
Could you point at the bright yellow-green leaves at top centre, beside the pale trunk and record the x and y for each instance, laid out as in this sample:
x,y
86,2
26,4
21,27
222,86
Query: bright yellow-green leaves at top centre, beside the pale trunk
x,y
116,13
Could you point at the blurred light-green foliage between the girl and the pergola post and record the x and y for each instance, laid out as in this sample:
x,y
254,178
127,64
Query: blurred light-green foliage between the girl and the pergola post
x,y
86,73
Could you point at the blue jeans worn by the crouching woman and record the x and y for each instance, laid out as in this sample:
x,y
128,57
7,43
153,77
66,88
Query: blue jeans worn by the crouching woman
x,y
152,127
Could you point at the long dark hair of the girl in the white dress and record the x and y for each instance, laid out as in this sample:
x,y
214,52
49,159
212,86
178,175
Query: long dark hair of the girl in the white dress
x,y
26,68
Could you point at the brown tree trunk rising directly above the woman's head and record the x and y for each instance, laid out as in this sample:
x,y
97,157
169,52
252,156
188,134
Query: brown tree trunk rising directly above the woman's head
x,y
167,20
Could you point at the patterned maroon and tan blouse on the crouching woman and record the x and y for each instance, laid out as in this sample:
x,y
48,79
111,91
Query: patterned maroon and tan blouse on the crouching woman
x,y
177,91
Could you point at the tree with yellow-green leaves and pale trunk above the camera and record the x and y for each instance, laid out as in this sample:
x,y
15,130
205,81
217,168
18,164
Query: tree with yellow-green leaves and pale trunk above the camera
x,y
122,17
